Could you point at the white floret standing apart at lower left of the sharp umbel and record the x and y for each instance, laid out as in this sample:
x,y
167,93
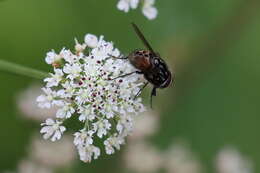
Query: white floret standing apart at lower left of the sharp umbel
x,y
52,129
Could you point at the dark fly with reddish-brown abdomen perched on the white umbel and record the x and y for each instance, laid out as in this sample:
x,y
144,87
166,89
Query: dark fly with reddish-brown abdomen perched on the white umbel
x,y
150,64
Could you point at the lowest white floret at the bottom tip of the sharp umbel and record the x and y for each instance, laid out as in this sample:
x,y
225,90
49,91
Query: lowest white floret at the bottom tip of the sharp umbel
x,y
87,152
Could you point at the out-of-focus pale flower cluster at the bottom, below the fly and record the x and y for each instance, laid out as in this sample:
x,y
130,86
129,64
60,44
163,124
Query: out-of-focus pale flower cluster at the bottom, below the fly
x,y
141,156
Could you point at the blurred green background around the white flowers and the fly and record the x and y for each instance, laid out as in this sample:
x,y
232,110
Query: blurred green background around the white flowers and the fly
x,y
211,45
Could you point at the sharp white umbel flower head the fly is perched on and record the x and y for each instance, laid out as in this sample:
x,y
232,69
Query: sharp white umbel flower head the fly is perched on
x,y
84,85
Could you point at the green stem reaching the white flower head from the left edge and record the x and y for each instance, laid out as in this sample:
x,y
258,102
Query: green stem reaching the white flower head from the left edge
x,y
21,70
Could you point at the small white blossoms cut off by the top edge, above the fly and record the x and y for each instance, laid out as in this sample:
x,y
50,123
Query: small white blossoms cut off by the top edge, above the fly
x,y
148,8
